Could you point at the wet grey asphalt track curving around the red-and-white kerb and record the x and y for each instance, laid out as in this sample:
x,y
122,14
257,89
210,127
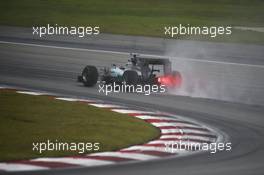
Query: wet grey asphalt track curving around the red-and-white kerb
x,y
55,70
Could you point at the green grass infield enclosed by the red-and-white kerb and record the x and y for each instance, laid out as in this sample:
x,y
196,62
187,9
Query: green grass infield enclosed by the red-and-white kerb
x,y
25,119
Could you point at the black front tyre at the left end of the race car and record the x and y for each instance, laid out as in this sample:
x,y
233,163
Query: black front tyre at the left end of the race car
x,y
89,76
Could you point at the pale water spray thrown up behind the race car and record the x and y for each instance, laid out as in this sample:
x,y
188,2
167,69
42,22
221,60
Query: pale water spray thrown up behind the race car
x,y
202,78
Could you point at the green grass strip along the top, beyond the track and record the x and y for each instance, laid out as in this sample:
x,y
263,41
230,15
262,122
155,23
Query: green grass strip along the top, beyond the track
x,y
139,17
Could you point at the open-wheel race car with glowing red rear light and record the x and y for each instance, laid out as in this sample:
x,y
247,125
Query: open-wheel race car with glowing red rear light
x,y
138,70
